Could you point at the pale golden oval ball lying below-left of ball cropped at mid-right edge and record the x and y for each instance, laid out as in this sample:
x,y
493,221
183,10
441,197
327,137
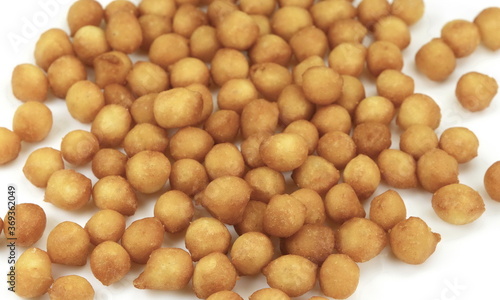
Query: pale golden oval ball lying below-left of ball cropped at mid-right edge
x,y
458,204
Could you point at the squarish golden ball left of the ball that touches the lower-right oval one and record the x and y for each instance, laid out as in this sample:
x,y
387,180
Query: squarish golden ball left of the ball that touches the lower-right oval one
x,y
398,168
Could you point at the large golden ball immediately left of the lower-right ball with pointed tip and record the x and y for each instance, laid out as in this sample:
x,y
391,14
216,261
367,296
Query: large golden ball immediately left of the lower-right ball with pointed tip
x,y
361,239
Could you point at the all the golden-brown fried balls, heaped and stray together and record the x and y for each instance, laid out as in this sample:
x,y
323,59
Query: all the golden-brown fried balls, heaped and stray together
x,y
314,121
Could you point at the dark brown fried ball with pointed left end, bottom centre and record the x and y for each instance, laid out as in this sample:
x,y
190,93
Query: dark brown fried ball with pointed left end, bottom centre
x,y
313,241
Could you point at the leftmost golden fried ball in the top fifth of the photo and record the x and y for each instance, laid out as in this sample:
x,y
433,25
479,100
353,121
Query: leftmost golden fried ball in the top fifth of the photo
x,y
51,45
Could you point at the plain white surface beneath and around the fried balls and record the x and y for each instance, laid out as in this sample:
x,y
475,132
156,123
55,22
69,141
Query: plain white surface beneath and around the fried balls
x,y
466,263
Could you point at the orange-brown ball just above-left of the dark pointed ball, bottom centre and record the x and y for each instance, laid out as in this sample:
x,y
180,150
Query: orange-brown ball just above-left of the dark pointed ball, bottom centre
x,y
284,216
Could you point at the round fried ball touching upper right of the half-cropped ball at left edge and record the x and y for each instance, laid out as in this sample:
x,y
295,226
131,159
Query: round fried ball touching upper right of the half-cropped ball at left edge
x,y
32,122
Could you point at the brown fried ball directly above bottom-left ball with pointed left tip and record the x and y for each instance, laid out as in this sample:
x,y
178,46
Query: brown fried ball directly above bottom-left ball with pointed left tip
x,y
142,237
